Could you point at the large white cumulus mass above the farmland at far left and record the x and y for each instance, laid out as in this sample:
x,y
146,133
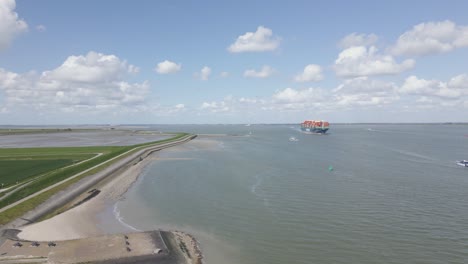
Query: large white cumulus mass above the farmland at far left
x,y
93,82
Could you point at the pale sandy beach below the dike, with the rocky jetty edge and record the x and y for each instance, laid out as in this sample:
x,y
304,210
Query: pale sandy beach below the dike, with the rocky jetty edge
x,y
81,221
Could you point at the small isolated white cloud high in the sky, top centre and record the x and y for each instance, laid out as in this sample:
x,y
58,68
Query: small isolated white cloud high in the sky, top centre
x,y
261,40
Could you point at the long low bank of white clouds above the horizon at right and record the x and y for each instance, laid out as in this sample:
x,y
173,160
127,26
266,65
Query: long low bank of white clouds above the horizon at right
x,y
353,94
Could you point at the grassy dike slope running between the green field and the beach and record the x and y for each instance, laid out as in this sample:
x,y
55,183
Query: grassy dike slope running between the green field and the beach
x,y
61,174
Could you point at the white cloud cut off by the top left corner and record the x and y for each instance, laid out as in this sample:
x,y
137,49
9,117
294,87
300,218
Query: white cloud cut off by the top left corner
x,y
10,24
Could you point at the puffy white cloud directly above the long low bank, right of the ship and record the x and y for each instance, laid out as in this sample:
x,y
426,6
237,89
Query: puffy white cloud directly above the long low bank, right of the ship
x,y
362,61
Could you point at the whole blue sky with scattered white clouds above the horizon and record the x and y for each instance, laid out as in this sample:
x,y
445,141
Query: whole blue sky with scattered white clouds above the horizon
x,y
230,62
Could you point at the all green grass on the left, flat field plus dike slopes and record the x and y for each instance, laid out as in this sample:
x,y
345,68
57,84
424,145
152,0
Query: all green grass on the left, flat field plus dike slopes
x,y
49,166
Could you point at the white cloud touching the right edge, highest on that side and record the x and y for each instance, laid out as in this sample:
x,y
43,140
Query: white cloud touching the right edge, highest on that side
x,y
431,37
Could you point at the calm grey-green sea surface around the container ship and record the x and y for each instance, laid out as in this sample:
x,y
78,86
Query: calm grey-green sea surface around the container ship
x,y
394,195
